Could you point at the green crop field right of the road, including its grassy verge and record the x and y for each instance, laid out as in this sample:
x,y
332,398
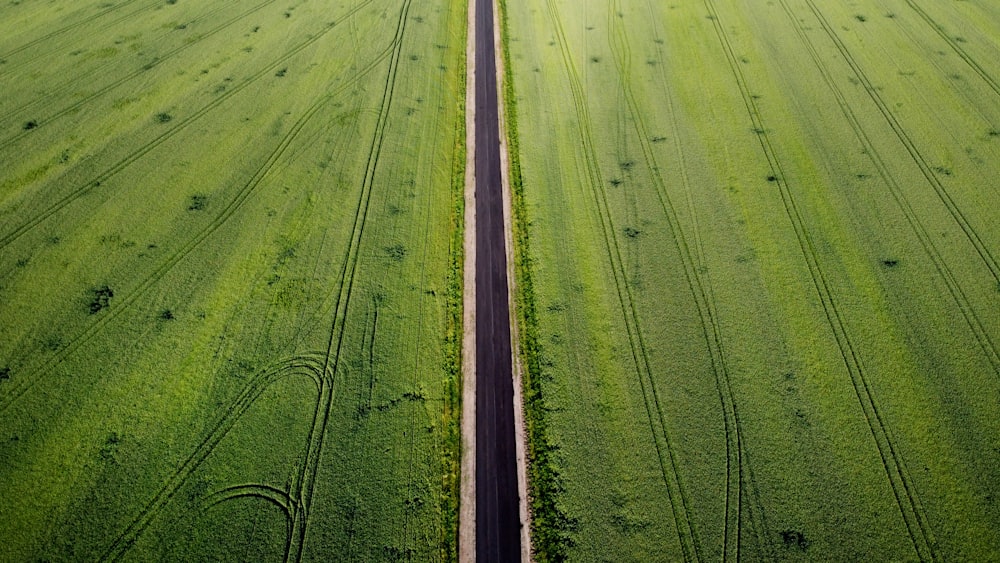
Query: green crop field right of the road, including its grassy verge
x,y
759,278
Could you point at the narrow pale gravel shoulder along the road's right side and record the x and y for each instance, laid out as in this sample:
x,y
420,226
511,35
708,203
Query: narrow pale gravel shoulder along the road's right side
x,y
520,432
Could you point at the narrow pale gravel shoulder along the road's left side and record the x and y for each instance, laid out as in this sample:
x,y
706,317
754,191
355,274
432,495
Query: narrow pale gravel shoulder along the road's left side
x,y
467,486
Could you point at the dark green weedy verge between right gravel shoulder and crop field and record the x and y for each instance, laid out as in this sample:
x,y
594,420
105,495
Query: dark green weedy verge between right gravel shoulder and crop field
x,y
550,526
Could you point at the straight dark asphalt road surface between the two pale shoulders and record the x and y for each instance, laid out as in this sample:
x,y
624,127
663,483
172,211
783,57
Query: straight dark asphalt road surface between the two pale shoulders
x,y
497,520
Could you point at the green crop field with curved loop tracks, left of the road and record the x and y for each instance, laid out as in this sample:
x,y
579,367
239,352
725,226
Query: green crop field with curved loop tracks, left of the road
x,y
230,279
